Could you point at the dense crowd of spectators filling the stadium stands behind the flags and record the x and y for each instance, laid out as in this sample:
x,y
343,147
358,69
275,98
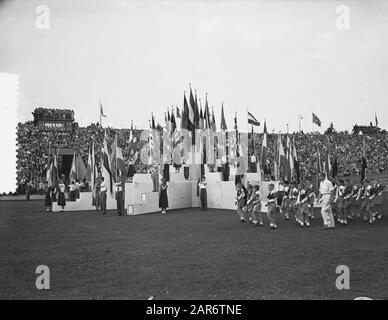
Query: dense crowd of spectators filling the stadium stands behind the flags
x,y
33,143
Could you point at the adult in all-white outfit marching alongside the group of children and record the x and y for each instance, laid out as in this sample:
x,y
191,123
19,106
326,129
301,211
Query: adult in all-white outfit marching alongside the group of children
x,y
326,194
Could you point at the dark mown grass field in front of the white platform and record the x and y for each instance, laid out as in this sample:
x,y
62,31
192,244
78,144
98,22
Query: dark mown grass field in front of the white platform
x,y
185,254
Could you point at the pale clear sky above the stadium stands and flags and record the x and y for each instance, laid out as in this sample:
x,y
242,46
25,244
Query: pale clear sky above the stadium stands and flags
x,y
277,59
